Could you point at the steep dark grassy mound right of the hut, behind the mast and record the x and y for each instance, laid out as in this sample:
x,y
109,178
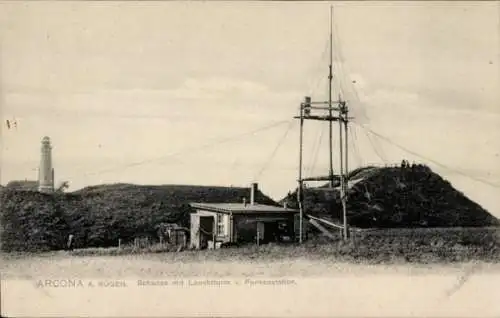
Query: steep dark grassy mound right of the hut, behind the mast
x,y
397,197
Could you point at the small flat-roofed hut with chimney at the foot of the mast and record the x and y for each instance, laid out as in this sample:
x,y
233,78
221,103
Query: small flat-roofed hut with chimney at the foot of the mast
x,y
215,224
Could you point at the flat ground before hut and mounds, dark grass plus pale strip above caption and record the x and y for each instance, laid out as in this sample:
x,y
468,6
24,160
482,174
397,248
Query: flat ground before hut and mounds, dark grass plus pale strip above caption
x,y
371,250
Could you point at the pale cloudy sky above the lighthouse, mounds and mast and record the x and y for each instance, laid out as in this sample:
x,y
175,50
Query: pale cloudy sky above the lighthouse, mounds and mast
x,y
169,92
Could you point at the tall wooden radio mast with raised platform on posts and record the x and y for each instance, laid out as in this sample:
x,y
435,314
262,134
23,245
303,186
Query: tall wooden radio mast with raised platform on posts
x,y
305,114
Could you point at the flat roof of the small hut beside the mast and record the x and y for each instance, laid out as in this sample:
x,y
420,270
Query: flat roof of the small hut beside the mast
x,y
242,208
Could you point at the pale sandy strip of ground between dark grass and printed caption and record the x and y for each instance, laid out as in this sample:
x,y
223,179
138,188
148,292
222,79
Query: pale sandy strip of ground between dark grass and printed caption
x,y
158,265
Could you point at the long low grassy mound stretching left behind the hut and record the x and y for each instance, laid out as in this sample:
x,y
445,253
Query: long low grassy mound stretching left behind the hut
x,y
100,215
